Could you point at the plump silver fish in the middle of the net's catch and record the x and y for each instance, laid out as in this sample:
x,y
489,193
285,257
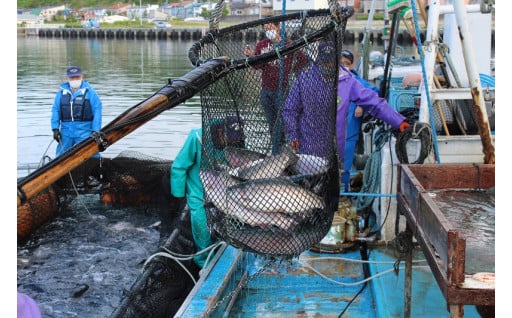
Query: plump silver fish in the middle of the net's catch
x,y
276,196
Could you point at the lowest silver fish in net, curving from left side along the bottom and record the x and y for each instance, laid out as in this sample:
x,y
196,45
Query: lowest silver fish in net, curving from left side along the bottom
x,y
216,186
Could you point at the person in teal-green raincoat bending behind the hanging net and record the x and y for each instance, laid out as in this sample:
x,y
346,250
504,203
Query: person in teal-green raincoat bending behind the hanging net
x,y
185,181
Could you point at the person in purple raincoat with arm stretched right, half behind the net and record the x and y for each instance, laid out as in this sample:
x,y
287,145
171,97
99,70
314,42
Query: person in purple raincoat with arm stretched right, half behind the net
x,y
307,110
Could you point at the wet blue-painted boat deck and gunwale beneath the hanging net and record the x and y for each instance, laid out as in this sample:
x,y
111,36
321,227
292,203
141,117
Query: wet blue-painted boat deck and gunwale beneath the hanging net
x,y
240,284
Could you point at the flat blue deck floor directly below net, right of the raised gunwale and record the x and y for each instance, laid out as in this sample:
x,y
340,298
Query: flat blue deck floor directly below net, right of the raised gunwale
x,y
310,286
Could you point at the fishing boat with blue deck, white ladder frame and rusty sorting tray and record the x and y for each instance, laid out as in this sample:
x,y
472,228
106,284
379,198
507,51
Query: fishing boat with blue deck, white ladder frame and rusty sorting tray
x,y
419,264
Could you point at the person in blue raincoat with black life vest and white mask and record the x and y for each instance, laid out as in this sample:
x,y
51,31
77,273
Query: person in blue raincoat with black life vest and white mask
x,y
76,111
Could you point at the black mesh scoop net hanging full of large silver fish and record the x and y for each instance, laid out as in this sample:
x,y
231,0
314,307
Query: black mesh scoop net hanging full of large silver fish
x,y
262,195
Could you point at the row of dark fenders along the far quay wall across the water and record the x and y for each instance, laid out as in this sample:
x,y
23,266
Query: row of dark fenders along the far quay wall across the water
x,y
351,35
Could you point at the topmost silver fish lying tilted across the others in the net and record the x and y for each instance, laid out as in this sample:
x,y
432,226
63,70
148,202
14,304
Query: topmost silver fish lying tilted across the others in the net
x,y
269,167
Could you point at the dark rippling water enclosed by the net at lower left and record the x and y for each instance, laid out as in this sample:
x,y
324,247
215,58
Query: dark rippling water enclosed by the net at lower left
x,y
83,262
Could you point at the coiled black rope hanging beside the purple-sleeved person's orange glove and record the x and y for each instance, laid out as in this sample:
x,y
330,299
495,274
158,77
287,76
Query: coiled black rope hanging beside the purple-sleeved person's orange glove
x,y
421,131
